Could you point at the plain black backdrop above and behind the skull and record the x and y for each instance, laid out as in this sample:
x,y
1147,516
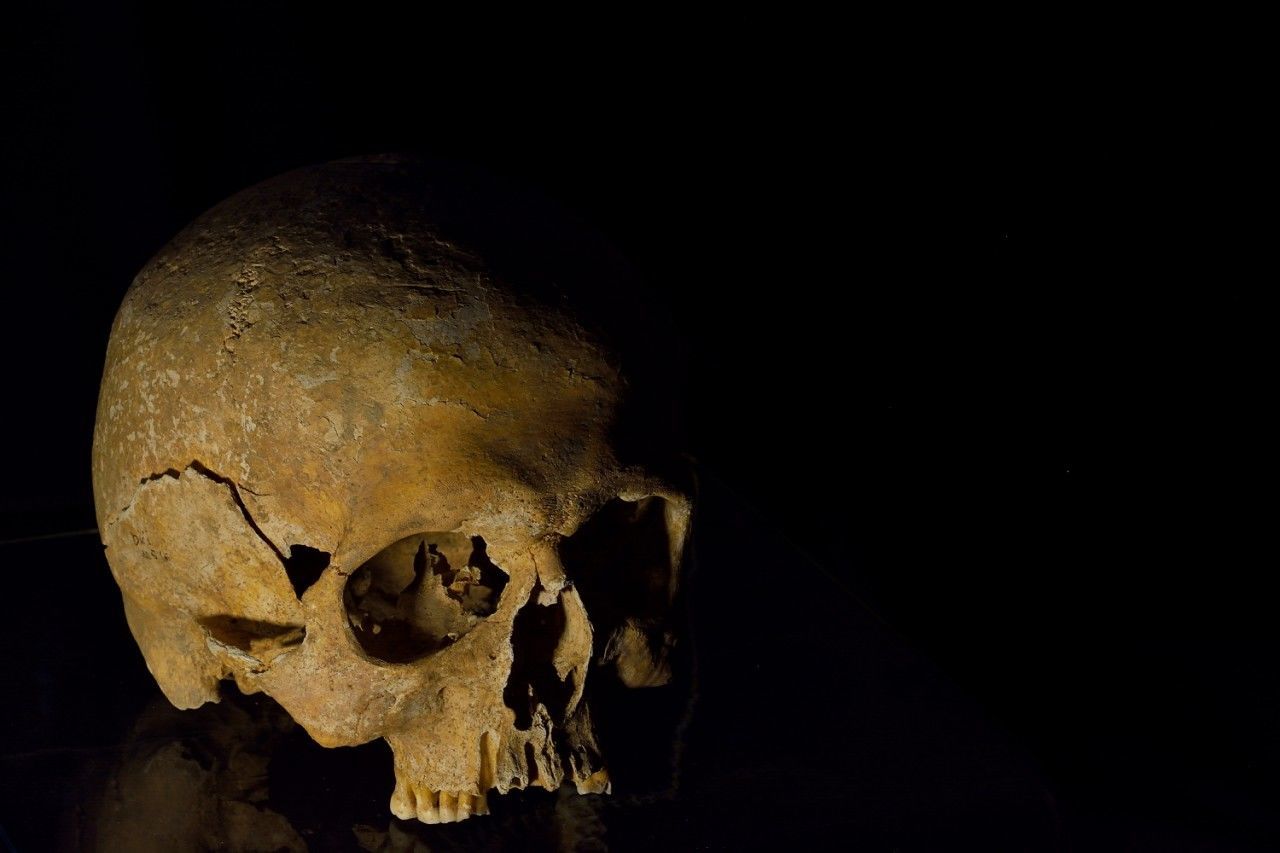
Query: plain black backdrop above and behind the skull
x,y
941,339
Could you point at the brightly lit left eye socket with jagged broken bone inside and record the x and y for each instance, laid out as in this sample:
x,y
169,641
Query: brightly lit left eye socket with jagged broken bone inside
x,y
422,594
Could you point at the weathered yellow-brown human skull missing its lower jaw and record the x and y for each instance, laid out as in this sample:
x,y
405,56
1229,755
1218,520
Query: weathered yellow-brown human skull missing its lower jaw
x,y
339,460
